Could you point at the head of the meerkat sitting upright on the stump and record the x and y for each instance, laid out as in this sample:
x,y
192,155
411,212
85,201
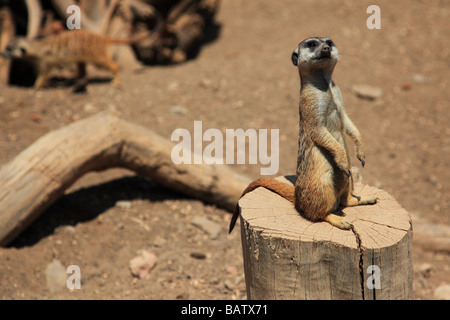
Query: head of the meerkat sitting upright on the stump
x,y
315,52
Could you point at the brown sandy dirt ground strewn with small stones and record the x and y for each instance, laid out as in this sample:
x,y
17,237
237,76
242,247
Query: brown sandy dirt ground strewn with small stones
x,y
242,79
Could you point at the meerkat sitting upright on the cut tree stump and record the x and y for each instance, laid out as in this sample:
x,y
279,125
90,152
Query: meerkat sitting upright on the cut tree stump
x,y
324,181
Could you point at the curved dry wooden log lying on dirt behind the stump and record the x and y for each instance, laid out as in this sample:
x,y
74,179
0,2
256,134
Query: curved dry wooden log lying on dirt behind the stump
x,y
33,180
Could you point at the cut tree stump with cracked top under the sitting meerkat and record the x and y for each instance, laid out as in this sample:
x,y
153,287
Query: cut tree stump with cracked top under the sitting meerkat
x,y
289,257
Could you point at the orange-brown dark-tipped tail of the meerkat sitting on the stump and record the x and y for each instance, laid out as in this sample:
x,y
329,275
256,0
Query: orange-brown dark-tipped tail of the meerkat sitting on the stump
x,y
280,188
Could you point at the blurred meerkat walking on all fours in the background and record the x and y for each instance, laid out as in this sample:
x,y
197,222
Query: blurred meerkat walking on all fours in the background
x,y
72,46
